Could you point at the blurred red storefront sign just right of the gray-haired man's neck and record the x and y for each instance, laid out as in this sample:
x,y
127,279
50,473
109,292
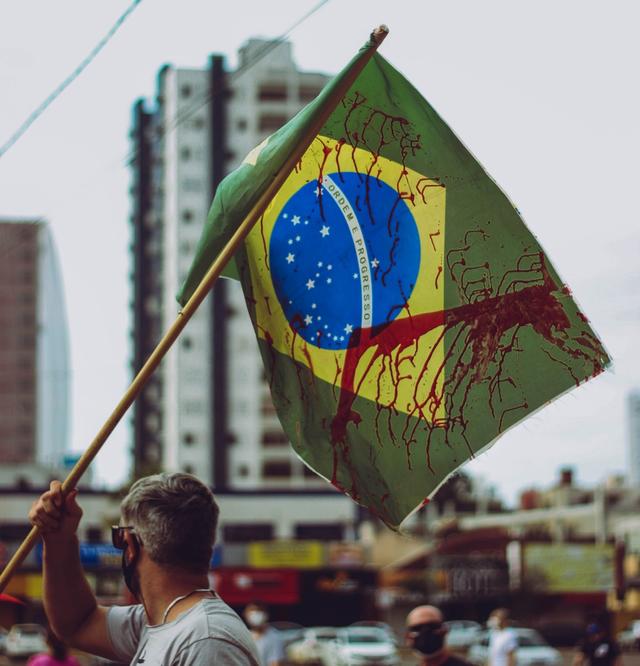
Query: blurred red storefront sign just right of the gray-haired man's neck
x,y
238,586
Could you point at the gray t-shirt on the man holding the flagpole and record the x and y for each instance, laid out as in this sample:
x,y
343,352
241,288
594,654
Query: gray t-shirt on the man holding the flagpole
x,y
208,633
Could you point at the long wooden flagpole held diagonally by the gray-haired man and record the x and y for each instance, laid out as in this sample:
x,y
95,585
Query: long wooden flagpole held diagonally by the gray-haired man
x,y
377,36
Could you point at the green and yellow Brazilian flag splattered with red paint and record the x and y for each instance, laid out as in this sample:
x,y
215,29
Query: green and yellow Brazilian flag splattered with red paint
x,y
405,315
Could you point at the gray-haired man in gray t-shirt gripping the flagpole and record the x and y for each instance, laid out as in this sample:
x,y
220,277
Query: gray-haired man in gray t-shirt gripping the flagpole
x,y
166,534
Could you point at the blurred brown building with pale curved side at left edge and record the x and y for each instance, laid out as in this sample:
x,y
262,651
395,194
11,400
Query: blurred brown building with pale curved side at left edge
x,y
34,353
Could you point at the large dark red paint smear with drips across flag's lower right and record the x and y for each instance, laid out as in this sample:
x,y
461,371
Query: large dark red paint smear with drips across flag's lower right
x,y
477,328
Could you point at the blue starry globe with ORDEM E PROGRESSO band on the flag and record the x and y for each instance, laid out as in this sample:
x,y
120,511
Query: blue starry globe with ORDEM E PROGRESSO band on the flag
x,y
344,257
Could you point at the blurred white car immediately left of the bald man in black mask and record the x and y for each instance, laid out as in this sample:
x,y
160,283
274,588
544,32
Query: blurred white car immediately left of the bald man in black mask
x,y
355,646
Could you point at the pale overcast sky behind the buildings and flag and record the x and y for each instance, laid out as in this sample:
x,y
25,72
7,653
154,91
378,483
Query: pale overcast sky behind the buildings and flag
x,y
544,93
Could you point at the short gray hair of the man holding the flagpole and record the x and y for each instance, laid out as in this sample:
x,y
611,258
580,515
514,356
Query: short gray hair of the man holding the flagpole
x,y
175,516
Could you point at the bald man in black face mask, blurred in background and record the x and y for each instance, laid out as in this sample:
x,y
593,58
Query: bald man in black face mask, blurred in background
x,y
426,634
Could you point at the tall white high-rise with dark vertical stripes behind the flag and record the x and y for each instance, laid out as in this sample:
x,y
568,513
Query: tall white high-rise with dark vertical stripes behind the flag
x,y
208,409
